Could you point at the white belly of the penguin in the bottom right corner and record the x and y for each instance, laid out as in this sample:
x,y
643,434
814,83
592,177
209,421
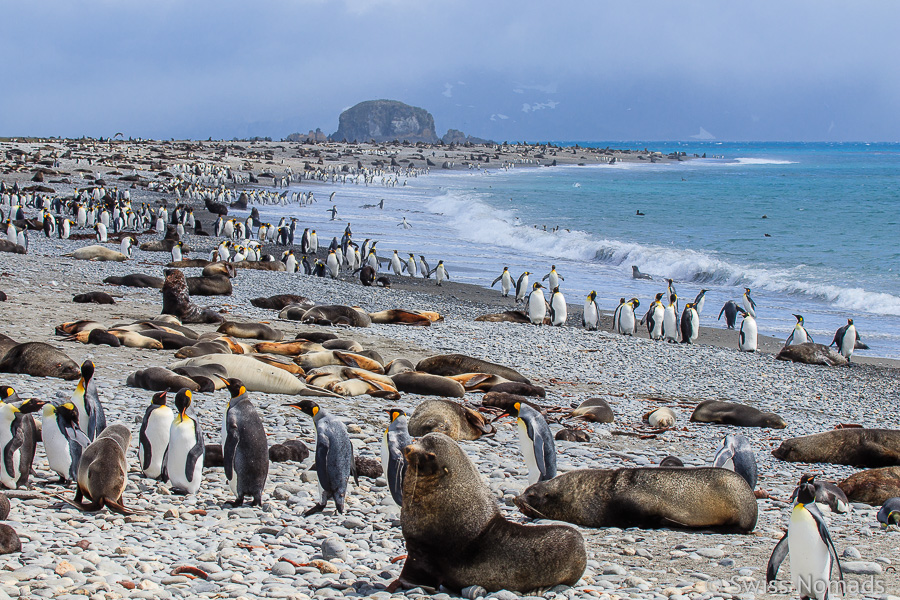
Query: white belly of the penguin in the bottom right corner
x,y
810,560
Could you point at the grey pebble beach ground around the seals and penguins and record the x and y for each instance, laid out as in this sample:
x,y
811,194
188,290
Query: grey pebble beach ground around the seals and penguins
x,y
274,552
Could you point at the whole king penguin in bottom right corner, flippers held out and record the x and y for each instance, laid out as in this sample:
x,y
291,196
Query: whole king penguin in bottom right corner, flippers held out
x,y
812,552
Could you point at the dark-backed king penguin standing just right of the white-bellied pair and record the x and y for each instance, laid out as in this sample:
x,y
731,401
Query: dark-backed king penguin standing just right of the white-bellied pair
x,y
244,445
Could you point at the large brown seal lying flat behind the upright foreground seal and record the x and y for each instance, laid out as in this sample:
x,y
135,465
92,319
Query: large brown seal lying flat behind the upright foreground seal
x,y
649,497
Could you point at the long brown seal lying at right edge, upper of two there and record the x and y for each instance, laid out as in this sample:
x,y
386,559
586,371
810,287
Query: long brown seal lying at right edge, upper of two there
x,y
855,447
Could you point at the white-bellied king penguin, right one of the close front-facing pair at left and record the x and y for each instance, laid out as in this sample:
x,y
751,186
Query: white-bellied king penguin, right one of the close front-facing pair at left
x,y
184,456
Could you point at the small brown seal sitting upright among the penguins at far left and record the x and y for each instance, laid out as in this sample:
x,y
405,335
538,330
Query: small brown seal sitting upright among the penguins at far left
x,y
103,470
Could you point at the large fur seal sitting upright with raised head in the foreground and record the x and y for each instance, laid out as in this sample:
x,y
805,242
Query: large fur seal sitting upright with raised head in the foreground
x,y
456,536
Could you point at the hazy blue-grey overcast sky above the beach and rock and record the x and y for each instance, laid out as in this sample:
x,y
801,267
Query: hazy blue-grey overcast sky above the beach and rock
x,y
536,70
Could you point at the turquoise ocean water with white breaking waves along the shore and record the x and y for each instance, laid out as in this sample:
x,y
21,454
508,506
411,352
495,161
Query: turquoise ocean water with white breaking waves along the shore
x,y
831,212
